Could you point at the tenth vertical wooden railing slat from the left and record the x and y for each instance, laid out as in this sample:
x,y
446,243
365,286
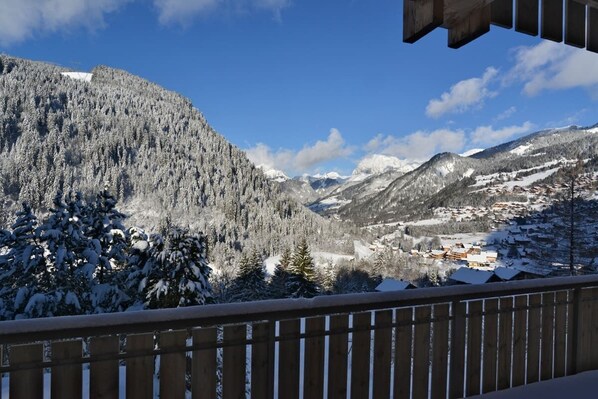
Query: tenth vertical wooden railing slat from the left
x,y
313,372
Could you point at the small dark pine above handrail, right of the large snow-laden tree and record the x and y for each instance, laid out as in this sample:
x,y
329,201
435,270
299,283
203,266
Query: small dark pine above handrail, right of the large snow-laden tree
x,y
250,284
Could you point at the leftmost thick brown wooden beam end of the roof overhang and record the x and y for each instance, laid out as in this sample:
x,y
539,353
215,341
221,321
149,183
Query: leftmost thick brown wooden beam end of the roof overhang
x,y
421,17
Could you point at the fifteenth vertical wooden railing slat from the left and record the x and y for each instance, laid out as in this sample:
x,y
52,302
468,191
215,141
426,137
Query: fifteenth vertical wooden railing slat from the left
x,y
421,351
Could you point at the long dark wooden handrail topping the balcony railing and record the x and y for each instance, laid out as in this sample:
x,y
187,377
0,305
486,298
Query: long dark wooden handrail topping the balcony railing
x,y
19,331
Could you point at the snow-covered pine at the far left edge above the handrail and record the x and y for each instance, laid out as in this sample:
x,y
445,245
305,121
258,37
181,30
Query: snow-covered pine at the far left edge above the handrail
x,y
23,274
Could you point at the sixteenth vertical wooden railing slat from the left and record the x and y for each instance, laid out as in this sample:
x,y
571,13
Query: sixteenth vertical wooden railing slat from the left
x,y
440,345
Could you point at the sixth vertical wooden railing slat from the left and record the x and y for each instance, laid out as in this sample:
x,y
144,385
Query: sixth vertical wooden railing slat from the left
x,y
204,364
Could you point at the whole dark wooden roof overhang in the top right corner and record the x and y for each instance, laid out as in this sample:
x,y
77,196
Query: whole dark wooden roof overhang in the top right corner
x,y
573,21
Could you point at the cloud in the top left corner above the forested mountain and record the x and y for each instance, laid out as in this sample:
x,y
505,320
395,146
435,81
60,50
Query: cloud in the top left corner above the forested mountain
x,y
22,19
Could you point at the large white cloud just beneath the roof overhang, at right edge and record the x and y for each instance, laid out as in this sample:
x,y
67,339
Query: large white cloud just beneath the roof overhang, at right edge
x,y
552,66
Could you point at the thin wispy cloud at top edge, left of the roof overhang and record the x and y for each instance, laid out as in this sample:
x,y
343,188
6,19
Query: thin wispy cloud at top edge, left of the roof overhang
x,y
183,11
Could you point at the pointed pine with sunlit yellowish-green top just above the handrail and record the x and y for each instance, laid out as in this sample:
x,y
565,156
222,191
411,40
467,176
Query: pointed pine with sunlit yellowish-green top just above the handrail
x,y
302,278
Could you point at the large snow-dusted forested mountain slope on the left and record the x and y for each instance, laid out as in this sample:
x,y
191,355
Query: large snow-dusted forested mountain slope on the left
x,y
148,145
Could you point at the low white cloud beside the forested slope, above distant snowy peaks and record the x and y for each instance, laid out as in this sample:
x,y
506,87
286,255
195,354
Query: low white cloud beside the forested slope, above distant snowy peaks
x,y
304,160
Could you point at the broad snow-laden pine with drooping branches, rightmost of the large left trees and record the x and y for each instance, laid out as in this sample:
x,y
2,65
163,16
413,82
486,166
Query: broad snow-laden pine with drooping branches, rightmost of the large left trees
x,y
178,272
